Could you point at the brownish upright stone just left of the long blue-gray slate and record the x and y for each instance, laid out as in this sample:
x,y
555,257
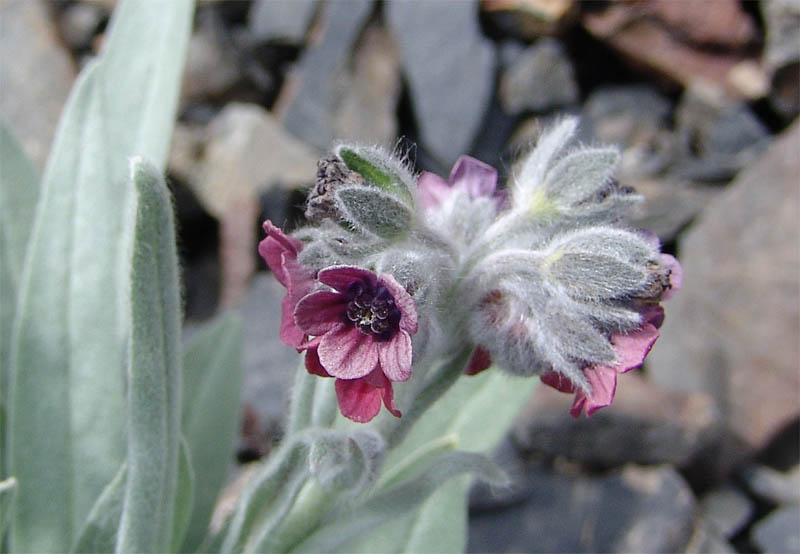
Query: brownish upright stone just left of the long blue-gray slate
x,y
366,113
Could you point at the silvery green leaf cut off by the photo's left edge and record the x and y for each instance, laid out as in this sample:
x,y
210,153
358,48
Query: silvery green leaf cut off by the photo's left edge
x,y
19,192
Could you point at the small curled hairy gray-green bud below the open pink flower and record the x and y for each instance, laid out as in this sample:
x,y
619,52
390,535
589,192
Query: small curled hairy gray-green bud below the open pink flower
x,y
346,462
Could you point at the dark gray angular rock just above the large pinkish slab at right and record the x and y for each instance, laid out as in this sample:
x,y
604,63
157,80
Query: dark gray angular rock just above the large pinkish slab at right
x,y
716,138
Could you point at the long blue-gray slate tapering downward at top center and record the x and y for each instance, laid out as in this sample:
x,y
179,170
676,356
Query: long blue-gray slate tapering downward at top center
x,y
450,68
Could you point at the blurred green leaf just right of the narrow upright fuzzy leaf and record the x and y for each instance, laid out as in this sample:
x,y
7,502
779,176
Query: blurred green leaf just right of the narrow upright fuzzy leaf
x,y
212,381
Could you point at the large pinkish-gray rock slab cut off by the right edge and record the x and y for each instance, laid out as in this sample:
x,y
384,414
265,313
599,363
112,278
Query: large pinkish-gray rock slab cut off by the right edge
x,y
732,330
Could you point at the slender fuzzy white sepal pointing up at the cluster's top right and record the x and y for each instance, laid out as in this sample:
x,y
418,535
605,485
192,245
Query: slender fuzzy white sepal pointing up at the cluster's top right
x,y
534,167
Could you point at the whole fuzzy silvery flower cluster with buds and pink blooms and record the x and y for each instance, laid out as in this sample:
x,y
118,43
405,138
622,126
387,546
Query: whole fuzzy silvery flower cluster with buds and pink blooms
x,y
543,278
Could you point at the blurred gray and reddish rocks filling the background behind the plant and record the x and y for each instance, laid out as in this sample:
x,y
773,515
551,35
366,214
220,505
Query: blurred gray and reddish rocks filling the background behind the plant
x,y
700,451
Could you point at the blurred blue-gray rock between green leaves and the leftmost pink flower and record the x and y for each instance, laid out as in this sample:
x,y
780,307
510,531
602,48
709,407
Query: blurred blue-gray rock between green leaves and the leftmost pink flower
x,y
269,365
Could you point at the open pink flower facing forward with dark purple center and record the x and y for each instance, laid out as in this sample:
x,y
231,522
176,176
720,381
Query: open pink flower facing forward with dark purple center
x,y
362,336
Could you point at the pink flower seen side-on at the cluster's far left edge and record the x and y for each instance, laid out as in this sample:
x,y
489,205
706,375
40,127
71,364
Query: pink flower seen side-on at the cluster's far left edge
x,y
280,252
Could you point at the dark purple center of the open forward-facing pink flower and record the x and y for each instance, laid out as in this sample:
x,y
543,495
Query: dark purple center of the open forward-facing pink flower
x,y
372,310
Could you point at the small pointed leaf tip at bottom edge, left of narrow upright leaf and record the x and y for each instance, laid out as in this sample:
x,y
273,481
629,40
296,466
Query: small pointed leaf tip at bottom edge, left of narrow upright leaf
x,y
99,531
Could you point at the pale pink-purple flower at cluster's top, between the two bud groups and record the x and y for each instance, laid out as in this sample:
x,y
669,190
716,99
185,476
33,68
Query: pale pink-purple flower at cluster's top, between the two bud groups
x,y
468,174
